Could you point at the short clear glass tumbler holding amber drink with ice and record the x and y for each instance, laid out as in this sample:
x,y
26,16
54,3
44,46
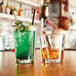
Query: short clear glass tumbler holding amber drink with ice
x,y
52,48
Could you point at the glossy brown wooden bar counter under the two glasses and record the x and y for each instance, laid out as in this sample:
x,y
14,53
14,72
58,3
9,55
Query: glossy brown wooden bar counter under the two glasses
x,y
8,66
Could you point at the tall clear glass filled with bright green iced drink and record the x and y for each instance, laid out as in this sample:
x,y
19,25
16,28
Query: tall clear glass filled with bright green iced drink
x,y
25,44
